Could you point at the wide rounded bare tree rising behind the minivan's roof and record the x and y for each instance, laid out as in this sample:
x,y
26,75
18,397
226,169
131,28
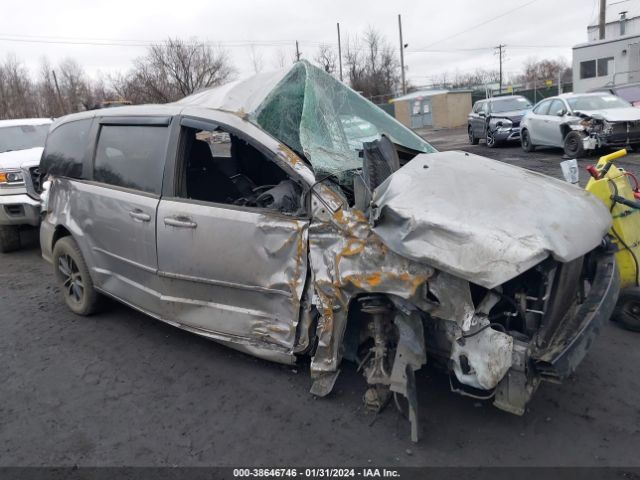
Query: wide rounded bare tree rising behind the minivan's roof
x,y
174,70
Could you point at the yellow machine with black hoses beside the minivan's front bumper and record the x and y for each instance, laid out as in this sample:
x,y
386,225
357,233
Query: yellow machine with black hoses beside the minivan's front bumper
x,y
619,191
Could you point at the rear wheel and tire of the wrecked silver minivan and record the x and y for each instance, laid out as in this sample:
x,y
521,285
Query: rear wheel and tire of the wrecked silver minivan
x,y
73,278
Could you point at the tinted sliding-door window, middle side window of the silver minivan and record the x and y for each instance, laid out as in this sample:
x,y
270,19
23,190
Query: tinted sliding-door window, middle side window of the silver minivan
x,y
131,156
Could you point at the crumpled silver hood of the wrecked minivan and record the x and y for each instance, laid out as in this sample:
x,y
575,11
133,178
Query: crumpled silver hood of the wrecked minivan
x,y
483,220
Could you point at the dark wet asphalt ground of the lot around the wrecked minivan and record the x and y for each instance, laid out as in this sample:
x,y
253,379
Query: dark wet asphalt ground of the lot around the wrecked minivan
x,y
122,389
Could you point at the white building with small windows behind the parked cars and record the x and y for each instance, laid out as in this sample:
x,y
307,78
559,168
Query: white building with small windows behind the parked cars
x,y
616,58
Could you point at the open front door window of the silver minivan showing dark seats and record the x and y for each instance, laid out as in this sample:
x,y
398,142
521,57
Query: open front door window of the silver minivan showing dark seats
x,y
220,167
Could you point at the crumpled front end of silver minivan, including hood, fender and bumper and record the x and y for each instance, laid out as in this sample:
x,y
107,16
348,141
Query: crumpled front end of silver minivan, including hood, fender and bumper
x,y
497,274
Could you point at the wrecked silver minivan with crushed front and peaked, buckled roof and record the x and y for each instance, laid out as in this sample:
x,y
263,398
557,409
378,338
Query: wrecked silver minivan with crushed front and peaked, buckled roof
x,y
263,215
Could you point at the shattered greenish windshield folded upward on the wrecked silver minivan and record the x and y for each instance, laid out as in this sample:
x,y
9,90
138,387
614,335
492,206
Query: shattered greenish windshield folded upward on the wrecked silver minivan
x,y
327,122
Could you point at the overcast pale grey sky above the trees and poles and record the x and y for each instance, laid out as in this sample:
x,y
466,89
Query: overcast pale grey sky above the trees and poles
x,y
537,28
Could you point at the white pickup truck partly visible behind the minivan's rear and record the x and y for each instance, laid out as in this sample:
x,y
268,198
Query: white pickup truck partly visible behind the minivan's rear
x,y
21,144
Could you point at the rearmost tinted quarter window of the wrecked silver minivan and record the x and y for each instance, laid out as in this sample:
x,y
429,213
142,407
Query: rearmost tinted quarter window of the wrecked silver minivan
x,y
65,148
